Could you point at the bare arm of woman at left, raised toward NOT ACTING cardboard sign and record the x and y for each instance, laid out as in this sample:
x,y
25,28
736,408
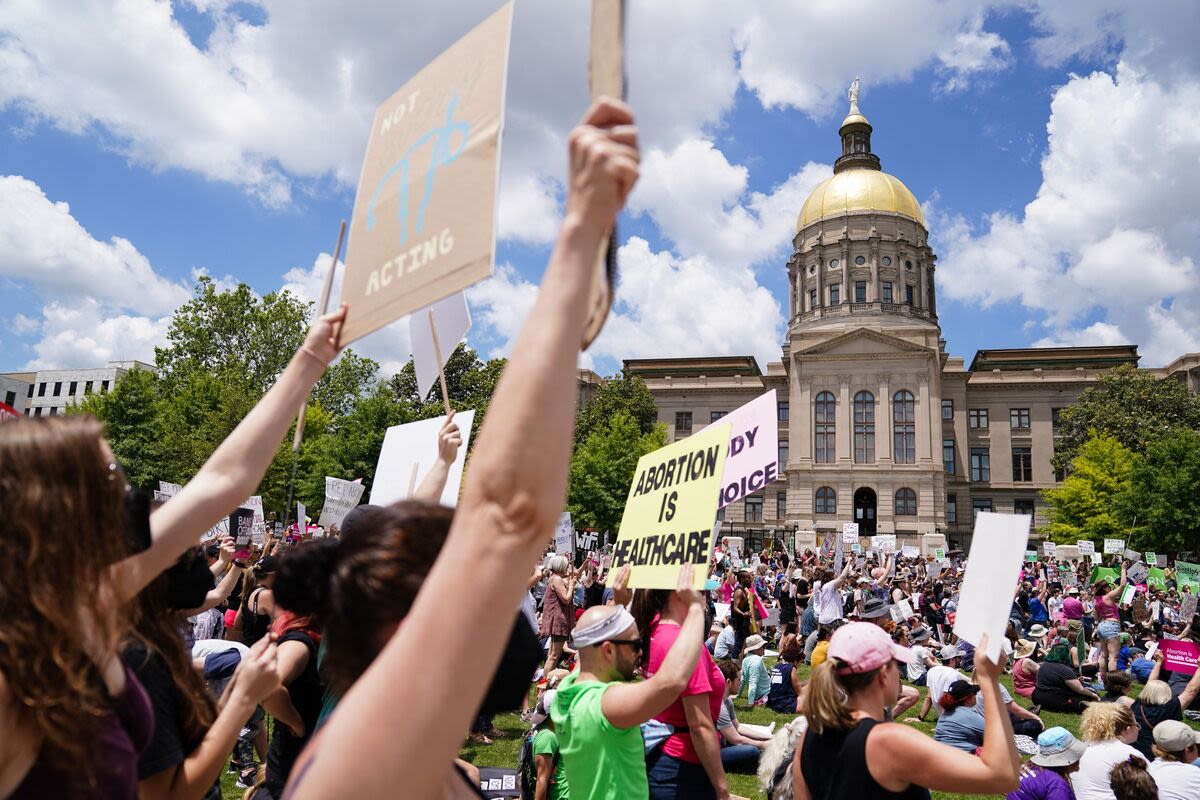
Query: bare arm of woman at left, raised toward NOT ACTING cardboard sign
x,y
235,471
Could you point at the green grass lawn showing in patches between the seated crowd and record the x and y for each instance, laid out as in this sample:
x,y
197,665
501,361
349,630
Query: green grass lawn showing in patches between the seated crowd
x,y
505,751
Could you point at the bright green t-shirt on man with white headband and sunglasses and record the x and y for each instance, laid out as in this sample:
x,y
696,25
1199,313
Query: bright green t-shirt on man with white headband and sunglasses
x,y
603,762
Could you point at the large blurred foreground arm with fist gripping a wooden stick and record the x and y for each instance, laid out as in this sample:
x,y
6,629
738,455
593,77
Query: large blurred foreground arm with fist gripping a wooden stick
x,y
513,498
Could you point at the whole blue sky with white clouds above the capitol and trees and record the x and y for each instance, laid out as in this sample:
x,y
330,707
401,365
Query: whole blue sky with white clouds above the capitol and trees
x,y
1054,149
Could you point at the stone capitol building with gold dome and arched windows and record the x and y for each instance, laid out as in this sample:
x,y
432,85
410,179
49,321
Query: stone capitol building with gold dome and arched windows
x,y
879,424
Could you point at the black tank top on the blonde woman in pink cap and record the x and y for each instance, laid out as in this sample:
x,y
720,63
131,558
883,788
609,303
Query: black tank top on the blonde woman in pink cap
x,y
835,767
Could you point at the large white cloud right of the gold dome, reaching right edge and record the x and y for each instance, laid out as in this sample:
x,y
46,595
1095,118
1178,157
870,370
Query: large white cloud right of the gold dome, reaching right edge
x,y
1105,252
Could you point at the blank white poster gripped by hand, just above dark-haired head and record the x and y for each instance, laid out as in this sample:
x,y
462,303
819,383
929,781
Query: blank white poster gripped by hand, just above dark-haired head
x,y
410,453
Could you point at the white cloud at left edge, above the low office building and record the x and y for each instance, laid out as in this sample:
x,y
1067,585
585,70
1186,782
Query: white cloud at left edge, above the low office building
x,y
44,245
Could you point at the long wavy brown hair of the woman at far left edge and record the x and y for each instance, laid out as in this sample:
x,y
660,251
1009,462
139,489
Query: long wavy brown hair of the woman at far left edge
x,y
63,512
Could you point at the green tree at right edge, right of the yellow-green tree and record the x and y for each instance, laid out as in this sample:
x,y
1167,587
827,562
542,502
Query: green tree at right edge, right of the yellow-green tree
x,y
1165,495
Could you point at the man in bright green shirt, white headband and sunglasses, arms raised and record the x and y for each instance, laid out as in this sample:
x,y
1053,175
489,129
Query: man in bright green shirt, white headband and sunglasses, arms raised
x,y
598,712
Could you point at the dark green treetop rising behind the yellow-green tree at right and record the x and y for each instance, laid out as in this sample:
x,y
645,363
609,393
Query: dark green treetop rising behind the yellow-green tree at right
x,y
1130,405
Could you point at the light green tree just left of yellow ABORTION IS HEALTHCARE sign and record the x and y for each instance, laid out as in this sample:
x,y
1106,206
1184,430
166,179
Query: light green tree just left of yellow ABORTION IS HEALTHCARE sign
x,y
603,470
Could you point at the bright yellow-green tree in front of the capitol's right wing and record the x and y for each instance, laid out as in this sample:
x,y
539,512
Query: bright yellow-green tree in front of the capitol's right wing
x,y
1085,506
